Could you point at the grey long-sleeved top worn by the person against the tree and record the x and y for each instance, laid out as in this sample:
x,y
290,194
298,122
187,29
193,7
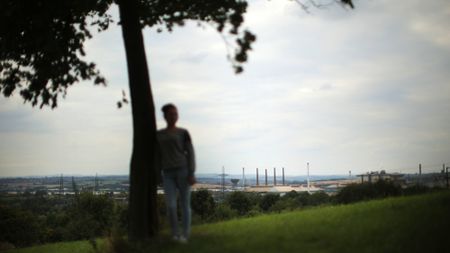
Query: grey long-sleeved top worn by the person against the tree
x,y
175,149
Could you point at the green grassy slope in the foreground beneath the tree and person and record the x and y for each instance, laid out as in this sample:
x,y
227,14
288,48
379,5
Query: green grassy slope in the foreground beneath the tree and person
x,y
405,224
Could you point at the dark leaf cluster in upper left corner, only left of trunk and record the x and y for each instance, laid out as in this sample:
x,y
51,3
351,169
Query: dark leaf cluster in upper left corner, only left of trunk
x,y
41,45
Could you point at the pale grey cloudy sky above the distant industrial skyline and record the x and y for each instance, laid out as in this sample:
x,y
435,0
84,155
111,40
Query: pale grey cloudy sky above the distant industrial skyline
x,y
343,90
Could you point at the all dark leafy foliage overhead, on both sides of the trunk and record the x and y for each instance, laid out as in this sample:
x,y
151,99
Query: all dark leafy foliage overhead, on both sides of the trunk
x,y
42,42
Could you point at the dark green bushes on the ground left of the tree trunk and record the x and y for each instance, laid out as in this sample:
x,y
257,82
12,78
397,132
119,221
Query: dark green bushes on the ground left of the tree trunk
x,y
34,219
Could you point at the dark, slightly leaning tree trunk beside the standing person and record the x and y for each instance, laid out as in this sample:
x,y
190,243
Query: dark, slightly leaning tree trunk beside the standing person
x,y
143,178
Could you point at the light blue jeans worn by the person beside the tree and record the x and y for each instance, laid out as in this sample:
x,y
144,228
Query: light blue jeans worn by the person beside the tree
x,y
174,179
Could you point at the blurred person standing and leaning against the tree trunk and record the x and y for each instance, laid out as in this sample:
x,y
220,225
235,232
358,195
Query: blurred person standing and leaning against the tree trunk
x,y
177,163
